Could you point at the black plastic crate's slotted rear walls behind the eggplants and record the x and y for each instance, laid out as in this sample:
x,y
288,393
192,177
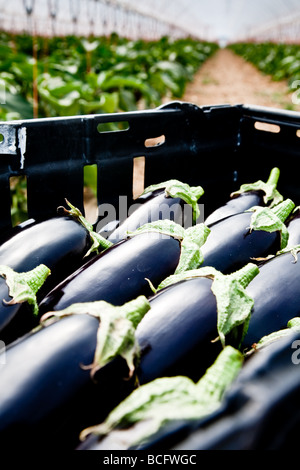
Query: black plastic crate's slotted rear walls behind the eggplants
x,y
217,147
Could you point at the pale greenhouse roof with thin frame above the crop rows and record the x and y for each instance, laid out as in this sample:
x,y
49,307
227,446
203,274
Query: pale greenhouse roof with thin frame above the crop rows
x,y
212,20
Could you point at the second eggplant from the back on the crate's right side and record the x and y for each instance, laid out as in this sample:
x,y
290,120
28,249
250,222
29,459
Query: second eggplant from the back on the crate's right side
x,y
233,242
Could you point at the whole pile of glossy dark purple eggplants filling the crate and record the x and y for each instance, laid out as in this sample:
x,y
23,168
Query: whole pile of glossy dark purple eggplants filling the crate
x,y
109,341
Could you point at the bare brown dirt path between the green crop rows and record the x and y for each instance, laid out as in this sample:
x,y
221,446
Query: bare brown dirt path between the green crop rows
x,y
227,78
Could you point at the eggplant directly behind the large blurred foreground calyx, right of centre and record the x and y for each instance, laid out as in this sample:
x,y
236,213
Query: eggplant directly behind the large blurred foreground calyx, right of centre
x,y
181,327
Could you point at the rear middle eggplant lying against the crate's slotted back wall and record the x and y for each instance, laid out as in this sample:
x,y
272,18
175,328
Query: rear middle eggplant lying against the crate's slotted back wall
x,y
160,201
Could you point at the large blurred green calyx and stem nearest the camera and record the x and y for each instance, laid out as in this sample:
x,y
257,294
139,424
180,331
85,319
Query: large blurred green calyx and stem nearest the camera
x,y
162,400
